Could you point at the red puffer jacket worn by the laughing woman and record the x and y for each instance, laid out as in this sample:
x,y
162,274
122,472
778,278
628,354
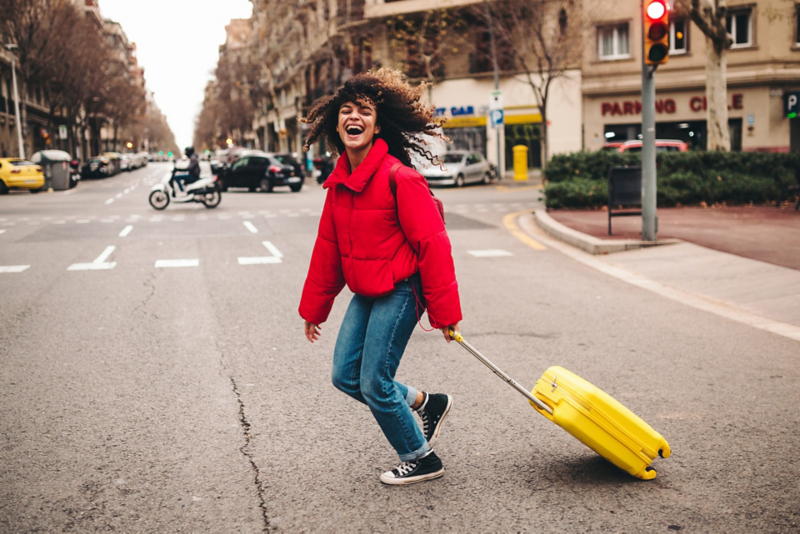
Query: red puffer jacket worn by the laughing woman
x,y
370,242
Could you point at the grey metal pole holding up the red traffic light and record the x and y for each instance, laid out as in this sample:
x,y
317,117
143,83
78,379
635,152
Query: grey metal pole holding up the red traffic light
x,y
649,217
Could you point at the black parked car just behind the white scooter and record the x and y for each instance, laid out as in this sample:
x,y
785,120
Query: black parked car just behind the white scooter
x,y
259,170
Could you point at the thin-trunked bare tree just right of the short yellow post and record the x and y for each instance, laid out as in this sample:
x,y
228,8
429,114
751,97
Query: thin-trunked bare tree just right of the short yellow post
x,y
543,39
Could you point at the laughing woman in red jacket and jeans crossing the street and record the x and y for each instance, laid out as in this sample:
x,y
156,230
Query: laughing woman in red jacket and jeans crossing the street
x,y
382,234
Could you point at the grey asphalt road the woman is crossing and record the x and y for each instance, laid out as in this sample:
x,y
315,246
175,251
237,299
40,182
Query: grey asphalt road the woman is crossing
x,y
165,399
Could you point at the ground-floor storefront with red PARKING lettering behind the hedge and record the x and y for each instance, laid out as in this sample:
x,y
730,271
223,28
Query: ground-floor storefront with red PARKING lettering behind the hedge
x,y
756,121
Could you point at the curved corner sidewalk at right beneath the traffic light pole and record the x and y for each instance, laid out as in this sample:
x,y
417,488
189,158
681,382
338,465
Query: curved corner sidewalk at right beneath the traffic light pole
x,y
742,263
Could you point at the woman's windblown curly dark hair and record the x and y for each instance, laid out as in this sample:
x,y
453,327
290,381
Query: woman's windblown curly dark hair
x,y
400,112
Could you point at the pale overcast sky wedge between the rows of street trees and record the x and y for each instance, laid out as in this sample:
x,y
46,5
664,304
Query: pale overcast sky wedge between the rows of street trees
x,y
178,46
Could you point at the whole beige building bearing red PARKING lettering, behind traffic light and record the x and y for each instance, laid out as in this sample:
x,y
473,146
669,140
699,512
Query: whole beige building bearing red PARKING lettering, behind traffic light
x,y
763,67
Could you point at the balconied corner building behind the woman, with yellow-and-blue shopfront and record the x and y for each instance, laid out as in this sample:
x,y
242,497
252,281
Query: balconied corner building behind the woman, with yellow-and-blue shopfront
x,y
310,47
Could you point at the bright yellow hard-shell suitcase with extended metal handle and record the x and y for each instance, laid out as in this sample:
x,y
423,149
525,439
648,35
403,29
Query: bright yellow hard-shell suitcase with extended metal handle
x,y
592,416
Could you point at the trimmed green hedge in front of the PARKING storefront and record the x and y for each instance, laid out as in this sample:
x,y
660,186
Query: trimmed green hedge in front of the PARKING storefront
x,y
579,180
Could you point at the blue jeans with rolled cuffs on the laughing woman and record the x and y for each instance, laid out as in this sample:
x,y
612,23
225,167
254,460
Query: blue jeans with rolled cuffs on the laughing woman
x,y
371,341
